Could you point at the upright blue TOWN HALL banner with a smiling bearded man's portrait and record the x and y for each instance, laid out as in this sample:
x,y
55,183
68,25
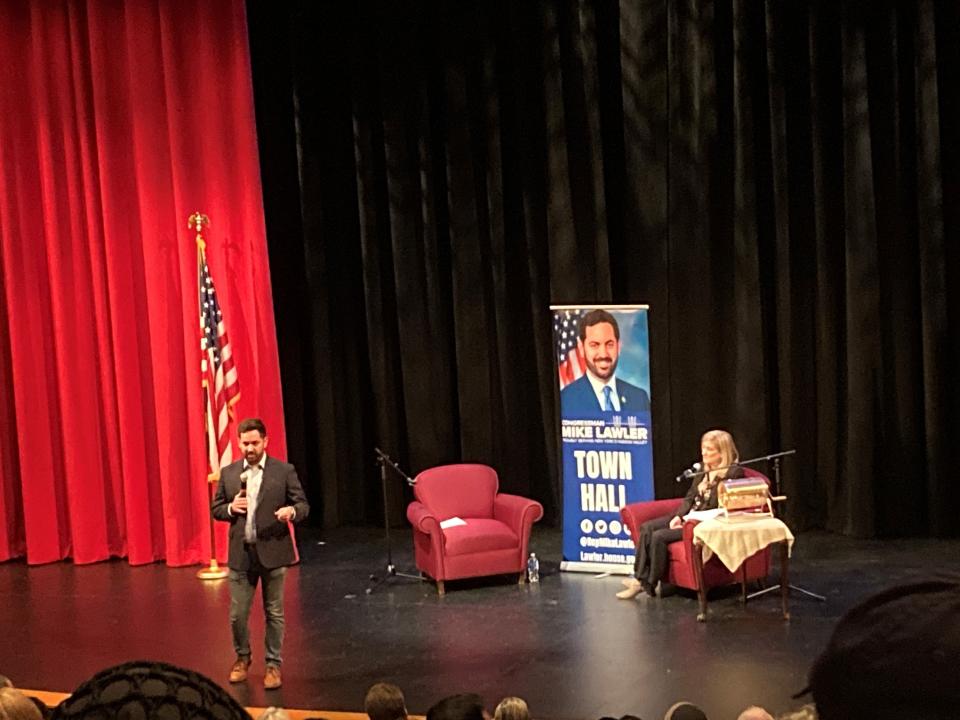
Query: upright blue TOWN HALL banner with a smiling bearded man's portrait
x,y
603,363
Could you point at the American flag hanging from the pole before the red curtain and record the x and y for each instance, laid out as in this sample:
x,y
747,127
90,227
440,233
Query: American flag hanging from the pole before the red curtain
x,y
221,388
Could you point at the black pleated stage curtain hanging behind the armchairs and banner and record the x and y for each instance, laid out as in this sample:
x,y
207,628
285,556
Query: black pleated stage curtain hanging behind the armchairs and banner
x,y
778,180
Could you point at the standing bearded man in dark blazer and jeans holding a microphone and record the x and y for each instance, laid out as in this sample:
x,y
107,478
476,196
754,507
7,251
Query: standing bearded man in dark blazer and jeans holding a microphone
x,y
259,496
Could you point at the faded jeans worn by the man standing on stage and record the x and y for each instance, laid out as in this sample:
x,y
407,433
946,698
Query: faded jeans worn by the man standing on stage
x,y
243,585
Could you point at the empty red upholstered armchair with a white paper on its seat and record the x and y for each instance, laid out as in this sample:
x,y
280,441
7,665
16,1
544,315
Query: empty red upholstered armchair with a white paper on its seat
x,y
494,539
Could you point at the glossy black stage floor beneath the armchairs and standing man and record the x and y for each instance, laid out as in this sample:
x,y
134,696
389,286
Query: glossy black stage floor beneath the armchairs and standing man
x,y
567,646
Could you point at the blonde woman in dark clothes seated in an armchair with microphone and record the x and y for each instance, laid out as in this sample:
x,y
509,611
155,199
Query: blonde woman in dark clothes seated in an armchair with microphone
x,y
719,463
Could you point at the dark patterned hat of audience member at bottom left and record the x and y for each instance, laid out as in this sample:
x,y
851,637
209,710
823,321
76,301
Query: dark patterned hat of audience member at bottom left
x,y
143,690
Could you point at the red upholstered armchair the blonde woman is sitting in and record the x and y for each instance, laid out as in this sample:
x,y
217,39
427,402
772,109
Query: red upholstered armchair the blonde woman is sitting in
x,y
680,570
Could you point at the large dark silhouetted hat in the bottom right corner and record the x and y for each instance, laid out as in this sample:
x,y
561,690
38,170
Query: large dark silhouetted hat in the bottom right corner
x,y
896,655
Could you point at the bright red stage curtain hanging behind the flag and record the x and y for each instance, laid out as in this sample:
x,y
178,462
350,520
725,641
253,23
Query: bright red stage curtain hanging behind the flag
x,y
117,120
